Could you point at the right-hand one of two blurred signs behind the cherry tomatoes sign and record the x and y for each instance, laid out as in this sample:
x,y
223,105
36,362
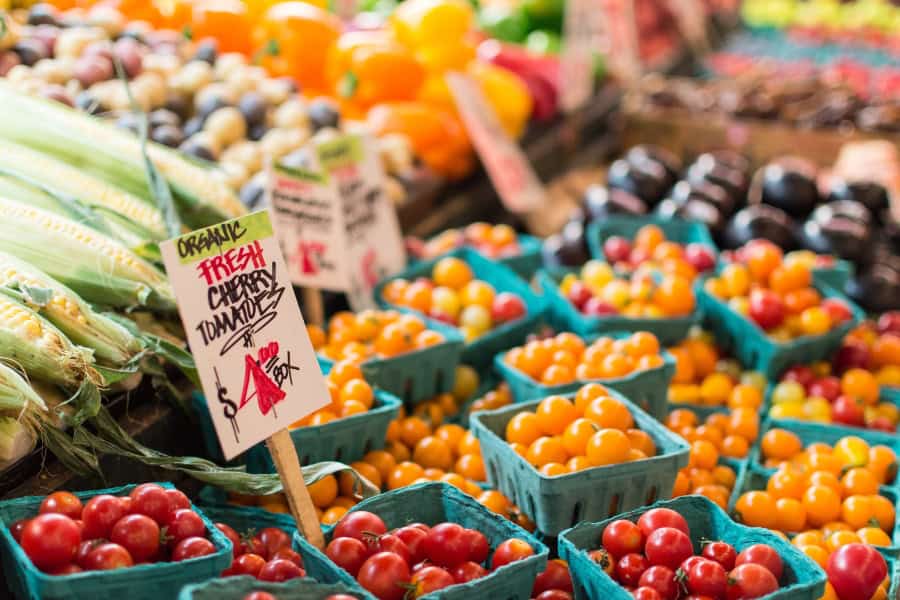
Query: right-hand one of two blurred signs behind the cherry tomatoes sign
x,y
372,241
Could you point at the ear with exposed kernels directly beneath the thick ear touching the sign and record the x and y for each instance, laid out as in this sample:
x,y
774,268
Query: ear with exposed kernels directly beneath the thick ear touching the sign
x,y
112,344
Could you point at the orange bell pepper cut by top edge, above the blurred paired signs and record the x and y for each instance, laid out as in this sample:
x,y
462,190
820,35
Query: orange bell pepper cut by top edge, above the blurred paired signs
x,y
294,39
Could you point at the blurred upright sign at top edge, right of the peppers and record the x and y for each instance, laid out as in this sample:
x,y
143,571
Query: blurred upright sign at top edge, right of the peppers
x,y
576,66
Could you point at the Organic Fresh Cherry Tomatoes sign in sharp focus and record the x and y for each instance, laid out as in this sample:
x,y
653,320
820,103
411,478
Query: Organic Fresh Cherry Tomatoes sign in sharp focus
x,y
244,327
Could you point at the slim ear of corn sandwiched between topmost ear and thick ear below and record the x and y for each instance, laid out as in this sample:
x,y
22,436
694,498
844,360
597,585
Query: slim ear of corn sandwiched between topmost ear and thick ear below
x,y
54,175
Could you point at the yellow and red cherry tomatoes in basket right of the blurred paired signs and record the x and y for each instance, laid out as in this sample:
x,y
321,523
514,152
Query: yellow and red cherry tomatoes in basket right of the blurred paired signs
x,y
453,295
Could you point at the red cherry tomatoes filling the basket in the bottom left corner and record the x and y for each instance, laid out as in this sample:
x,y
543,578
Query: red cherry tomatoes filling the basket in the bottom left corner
x,y
151,524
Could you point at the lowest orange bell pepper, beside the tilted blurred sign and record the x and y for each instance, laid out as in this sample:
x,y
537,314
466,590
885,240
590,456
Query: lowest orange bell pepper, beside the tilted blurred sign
x,y
437,137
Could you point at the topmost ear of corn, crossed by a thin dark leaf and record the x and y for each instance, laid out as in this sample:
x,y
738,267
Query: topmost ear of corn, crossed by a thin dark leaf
x,y
113,155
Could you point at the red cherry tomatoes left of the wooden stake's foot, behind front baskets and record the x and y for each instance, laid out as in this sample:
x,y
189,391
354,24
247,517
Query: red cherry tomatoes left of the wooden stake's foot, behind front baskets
x,y
267,555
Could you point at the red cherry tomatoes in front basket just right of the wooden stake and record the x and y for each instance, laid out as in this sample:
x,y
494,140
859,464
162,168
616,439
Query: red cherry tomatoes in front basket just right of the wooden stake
x,y
415,559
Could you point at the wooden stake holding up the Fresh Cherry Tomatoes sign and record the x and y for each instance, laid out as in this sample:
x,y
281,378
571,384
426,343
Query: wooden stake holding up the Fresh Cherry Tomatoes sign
x,y
284,455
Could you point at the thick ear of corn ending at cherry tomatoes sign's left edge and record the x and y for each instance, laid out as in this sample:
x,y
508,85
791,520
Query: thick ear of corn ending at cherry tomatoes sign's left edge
x,y
97,268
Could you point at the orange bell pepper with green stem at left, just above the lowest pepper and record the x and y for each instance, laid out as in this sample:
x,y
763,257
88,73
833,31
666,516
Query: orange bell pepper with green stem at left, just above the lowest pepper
x,y
370,68
